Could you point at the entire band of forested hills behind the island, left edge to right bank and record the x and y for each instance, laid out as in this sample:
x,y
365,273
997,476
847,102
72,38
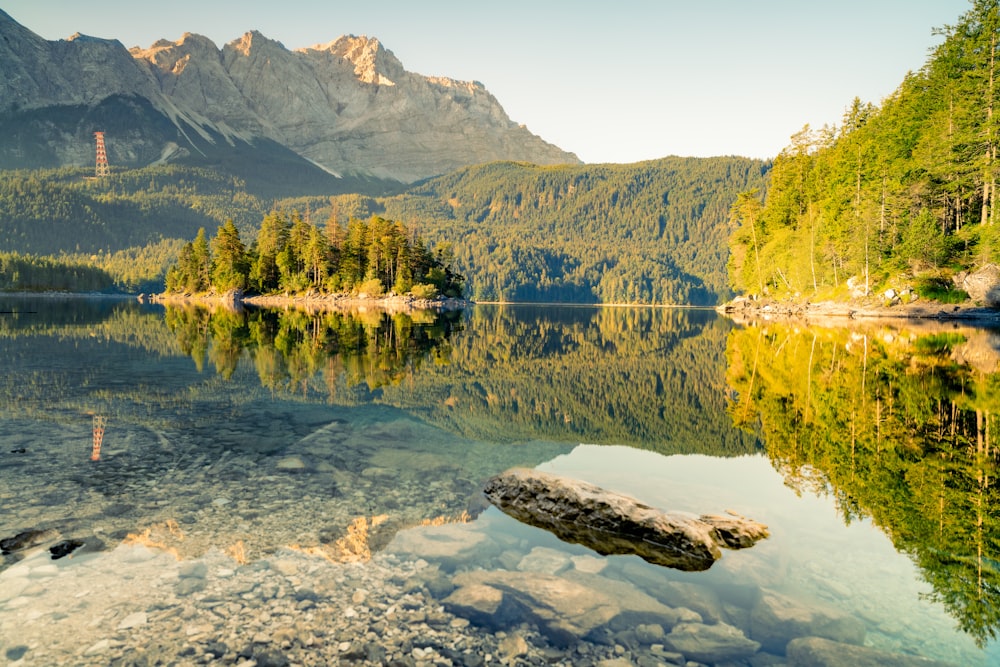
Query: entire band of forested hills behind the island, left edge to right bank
x,y
644,233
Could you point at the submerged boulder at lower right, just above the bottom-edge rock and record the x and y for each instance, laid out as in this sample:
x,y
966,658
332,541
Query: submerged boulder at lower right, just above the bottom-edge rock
x,y
777,619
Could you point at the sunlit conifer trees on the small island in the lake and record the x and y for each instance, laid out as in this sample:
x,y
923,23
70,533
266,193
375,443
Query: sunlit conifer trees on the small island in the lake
x,y
293,255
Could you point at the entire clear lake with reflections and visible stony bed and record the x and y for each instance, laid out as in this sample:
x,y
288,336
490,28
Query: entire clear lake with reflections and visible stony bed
x,y
184,485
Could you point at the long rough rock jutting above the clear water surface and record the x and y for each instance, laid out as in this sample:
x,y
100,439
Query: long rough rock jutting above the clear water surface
x,y
612,523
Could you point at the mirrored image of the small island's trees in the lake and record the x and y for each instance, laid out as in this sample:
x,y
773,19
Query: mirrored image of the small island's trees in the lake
x,y
289,348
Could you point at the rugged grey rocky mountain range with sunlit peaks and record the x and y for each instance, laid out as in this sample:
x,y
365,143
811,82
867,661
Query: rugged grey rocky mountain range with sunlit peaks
x,y
323,116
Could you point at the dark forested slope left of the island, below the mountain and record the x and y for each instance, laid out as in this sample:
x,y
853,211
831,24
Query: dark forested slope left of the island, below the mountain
x,y
129,226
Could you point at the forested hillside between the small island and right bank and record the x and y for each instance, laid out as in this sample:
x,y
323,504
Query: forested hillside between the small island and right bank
x,y
651,232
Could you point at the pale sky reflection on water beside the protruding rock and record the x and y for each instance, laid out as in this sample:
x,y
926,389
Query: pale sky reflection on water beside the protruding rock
x,y
854,567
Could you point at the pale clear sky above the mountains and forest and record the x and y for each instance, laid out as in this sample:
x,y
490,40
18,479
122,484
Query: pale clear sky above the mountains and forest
x,y
619,81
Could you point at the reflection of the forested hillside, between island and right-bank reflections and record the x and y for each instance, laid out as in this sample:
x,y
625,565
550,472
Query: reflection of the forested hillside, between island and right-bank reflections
x,y
644,377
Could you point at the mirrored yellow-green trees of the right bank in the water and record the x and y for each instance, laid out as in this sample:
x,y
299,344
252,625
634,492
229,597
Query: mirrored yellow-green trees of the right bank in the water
x,y
899,428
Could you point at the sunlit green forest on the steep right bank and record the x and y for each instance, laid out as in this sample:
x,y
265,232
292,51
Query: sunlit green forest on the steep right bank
x,y
899,195
